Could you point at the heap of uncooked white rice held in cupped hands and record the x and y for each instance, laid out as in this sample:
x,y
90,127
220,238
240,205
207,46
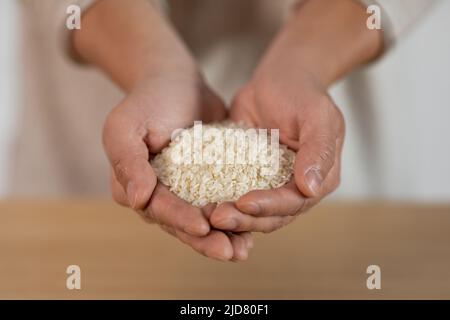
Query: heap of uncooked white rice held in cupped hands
x,y
220,162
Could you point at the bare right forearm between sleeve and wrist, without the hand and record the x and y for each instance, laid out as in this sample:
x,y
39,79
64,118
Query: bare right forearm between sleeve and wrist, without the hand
x,y
326,38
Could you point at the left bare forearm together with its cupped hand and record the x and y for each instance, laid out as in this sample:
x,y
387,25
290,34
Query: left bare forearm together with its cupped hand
x,y
165,91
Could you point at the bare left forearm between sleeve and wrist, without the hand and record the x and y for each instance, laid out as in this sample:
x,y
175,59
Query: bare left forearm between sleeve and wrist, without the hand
x,y
130,41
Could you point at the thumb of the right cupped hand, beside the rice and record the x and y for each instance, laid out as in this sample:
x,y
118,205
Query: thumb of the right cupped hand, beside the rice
x,y
313,162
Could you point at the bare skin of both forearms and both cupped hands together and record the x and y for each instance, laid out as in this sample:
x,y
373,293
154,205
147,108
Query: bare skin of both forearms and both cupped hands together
x,y
132,43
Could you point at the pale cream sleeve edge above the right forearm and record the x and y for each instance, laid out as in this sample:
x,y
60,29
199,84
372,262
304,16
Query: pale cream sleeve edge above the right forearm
x,y
398,16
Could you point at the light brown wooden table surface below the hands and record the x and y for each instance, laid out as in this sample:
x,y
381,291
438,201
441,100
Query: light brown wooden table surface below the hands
x,y
324,254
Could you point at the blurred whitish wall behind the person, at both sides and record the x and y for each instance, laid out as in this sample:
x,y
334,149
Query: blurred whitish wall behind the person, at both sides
x,y
398,132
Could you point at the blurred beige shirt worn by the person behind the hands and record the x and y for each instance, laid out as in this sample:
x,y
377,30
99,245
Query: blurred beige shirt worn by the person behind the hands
x,y
59,149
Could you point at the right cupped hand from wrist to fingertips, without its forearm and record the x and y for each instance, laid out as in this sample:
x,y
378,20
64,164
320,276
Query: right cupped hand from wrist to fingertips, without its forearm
x,y
296,103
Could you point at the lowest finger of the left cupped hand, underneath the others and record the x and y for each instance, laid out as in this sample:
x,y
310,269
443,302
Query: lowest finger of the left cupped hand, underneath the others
x,y
215,245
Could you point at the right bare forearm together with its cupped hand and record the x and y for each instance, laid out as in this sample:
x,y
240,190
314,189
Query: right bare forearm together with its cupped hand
x,y
288,91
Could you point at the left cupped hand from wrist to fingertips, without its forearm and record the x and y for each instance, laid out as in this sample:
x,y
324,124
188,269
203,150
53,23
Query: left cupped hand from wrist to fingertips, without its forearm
x,y
141,125
